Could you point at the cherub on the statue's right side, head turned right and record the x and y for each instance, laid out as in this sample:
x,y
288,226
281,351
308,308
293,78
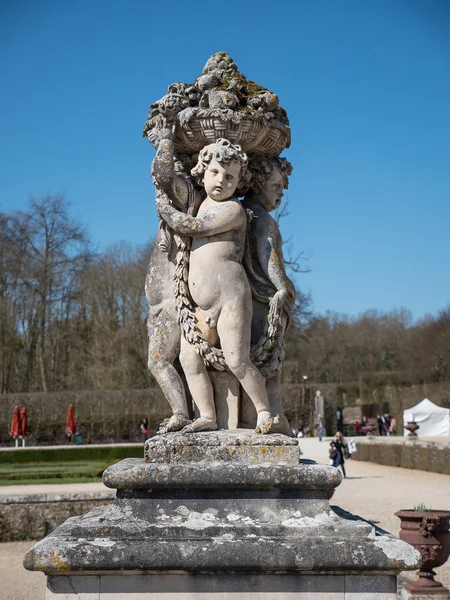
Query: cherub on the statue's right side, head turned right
x,y
272,290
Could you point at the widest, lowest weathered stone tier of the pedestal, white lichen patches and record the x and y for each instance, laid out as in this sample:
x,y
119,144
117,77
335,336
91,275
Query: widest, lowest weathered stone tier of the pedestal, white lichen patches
x,y
111,539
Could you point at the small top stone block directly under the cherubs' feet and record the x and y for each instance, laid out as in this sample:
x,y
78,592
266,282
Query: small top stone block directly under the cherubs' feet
x,y
239,446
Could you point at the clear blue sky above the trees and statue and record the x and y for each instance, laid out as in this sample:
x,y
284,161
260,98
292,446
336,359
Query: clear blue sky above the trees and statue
x,y
366,85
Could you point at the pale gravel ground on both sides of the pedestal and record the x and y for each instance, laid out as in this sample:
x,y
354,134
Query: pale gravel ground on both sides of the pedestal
x,y
372,491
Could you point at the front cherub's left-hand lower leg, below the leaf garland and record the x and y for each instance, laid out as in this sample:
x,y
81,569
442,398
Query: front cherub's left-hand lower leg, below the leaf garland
x,y
201,388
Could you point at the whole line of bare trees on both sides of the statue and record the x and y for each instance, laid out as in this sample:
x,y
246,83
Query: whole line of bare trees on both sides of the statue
x,y
72,318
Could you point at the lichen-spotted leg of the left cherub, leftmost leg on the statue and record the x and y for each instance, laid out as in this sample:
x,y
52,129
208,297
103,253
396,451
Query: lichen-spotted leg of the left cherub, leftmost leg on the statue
x,y
163,349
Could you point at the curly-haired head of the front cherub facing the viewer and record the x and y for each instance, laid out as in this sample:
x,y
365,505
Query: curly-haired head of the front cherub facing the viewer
x,y
221,167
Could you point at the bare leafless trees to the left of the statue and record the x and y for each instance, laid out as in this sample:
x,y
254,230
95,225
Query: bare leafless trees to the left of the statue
x,y
70,318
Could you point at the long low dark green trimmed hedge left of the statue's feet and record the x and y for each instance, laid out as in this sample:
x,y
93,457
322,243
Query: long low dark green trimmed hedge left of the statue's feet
x,y
109,454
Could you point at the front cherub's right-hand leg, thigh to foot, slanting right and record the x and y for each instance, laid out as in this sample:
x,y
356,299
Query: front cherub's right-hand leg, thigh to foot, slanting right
x,y
233,327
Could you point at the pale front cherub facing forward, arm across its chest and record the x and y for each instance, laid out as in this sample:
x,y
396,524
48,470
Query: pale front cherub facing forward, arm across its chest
x,y
217,280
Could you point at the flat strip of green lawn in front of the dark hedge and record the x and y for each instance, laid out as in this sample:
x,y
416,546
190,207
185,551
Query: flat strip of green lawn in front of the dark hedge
x,y
52,472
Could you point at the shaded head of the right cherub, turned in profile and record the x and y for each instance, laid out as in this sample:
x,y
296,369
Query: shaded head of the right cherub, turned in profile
x,y
269,179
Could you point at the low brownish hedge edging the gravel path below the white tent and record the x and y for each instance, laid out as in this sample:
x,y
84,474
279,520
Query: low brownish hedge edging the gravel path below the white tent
x,y
419,454
